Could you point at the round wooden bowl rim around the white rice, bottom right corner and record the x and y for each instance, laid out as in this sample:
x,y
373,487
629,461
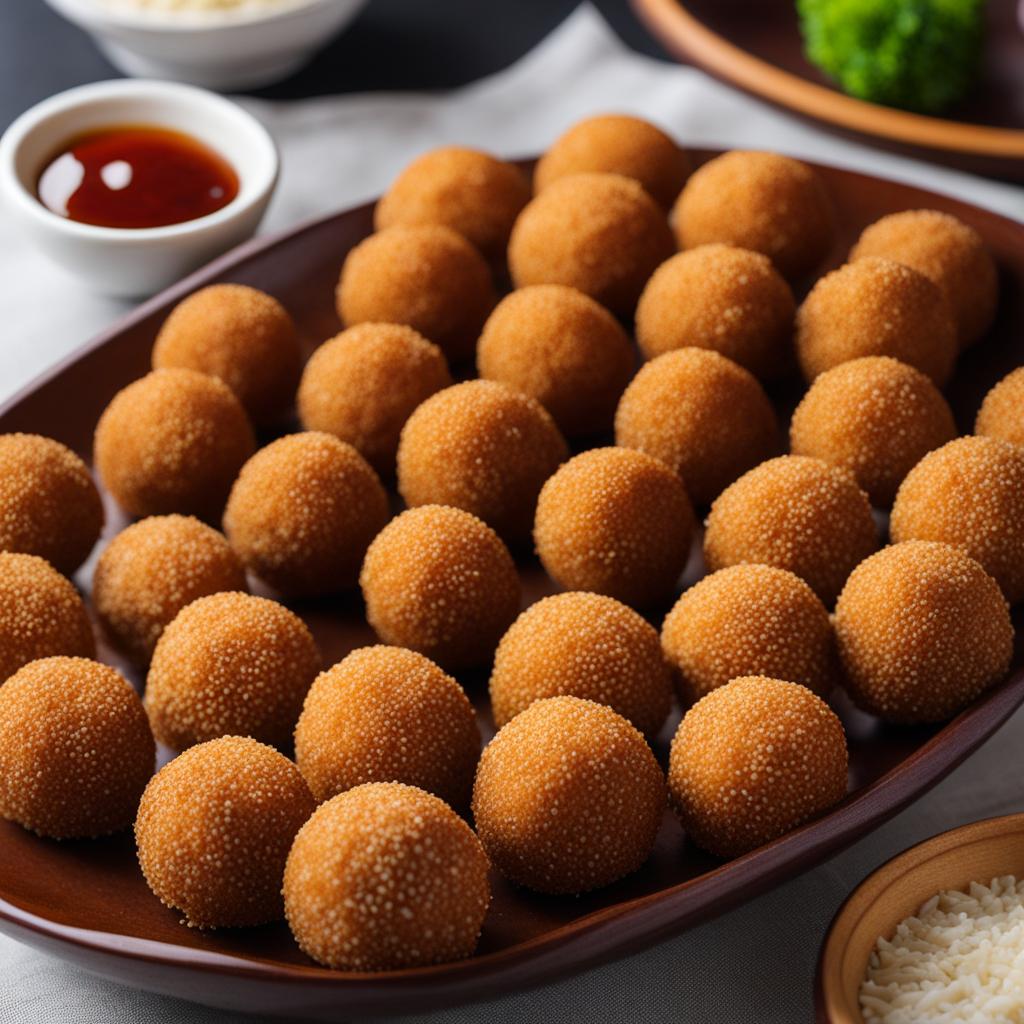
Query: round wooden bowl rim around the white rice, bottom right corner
x,y
978,852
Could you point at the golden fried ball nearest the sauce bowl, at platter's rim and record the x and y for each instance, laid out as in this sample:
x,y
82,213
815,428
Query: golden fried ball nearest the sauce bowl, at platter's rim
x,y
241,335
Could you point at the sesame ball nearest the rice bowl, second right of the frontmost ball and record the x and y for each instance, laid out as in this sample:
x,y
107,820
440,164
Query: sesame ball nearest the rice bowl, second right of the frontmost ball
x,y
753,760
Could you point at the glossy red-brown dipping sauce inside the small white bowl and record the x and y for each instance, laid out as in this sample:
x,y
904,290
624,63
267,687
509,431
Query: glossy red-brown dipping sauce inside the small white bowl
x,y
137,177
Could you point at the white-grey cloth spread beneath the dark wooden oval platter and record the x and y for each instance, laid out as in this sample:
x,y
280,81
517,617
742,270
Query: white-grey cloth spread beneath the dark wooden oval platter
x,y
756,964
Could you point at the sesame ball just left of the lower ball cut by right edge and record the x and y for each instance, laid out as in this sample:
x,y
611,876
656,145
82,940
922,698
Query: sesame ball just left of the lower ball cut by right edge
x,y
795,514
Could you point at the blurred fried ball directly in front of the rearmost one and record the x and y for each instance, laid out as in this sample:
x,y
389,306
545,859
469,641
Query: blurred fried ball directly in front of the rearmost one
x,y
601,234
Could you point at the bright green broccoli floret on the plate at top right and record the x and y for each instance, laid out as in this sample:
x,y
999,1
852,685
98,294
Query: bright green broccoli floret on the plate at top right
x,y
917,55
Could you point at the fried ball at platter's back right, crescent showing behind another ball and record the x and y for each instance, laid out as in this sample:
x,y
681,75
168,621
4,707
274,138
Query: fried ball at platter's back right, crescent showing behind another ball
x,y
949,252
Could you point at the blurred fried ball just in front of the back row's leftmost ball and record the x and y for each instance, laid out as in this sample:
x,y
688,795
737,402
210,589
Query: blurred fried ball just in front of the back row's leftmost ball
x,y
424,276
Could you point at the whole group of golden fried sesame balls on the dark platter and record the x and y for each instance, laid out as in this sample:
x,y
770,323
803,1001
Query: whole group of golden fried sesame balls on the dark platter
x,y
361,782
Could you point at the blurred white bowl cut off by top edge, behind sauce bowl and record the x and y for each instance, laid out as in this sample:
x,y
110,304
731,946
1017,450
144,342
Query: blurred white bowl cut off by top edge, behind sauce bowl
x,y
241,50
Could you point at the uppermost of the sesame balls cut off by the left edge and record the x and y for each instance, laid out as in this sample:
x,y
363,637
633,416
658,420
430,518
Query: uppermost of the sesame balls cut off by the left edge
x,y
49,504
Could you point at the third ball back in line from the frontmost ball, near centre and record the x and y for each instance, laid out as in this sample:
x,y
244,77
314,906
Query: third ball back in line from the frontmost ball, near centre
x,y
440,581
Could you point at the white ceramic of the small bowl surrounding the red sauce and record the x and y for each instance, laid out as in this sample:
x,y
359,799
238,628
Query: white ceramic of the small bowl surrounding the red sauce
x,y
137,262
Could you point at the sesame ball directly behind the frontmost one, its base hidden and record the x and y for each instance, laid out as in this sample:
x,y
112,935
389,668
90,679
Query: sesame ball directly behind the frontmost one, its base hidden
x,y
388,715
